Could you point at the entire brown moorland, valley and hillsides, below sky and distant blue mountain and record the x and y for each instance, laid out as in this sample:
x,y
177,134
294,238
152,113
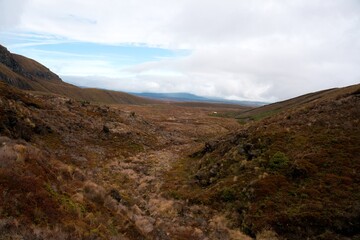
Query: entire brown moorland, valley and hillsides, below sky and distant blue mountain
x,y
89,164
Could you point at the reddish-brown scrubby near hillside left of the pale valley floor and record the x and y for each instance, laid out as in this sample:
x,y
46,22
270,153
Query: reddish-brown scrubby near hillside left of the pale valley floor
x,y
48,190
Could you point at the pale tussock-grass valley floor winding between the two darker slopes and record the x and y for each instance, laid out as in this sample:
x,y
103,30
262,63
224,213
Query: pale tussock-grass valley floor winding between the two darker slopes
x,y
155,212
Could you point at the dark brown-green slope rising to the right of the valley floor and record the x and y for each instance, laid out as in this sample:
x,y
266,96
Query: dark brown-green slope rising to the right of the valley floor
x,y
294,174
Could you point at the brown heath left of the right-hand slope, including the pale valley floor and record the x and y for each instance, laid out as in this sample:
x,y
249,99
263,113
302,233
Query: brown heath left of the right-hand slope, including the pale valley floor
x,y
103,169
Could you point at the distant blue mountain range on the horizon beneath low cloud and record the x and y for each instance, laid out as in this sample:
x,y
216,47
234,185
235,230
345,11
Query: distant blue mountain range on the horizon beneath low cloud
x,y
188,97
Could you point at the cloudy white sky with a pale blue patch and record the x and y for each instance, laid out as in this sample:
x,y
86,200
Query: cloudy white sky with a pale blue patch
x,y
265,50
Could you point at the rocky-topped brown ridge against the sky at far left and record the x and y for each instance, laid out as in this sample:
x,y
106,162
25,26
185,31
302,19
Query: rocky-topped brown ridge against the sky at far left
x,y
27,74
